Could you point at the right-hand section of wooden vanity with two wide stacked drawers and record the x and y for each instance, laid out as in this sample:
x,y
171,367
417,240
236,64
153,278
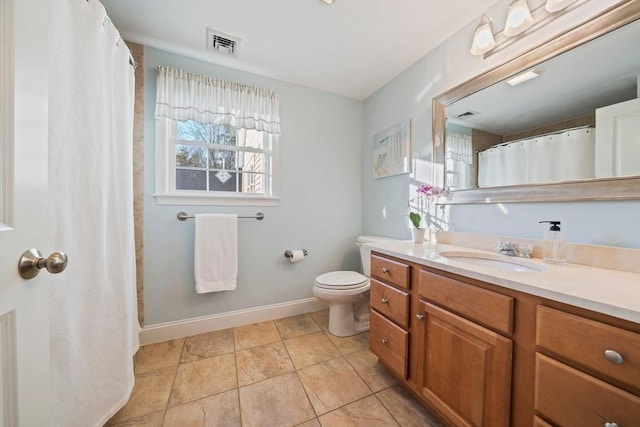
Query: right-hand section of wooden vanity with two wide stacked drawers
x,y
586,371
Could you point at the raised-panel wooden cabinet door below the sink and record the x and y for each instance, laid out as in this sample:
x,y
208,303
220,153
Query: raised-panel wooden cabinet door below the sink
x,y
467,369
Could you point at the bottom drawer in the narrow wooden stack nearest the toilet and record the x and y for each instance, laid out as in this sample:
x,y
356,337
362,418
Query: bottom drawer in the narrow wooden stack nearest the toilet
x,y
390,343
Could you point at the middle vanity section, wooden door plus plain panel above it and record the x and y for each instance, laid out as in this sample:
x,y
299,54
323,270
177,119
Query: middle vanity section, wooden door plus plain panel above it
x,y
466,370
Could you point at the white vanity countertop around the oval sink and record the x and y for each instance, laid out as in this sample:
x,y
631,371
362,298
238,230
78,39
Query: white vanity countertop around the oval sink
x,y
612,292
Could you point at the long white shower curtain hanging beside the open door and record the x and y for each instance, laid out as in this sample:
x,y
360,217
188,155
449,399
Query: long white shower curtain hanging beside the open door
x,y
93,319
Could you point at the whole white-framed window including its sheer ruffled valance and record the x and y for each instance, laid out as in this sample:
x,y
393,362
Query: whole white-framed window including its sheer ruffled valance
x,y
216,141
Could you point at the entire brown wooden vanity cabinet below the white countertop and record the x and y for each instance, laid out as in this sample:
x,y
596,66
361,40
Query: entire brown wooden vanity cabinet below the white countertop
x,y
479,354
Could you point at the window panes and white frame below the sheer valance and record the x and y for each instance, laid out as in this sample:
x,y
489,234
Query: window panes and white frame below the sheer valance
x,y
217,164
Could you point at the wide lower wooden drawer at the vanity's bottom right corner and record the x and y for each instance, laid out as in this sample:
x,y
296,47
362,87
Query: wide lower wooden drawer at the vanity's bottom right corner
x,y
568,397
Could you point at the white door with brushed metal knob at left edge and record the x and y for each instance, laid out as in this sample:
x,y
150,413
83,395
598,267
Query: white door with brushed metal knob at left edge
x,y
24,304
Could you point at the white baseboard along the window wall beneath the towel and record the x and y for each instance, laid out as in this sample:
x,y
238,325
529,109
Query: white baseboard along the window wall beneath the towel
x,y
215,322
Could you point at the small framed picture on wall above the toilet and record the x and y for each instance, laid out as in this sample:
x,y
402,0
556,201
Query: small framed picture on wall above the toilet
x,y
391,150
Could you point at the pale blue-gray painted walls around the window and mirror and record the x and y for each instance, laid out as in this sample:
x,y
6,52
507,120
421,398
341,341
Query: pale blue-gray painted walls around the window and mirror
x,y
328,194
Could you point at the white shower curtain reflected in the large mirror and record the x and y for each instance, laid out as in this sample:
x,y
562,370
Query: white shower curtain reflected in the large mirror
x,y
564,156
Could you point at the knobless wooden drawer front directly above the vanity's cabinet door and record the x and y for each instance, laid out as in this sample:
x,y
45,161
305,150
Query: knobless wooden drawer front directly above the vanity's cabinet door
x,y
489,308
